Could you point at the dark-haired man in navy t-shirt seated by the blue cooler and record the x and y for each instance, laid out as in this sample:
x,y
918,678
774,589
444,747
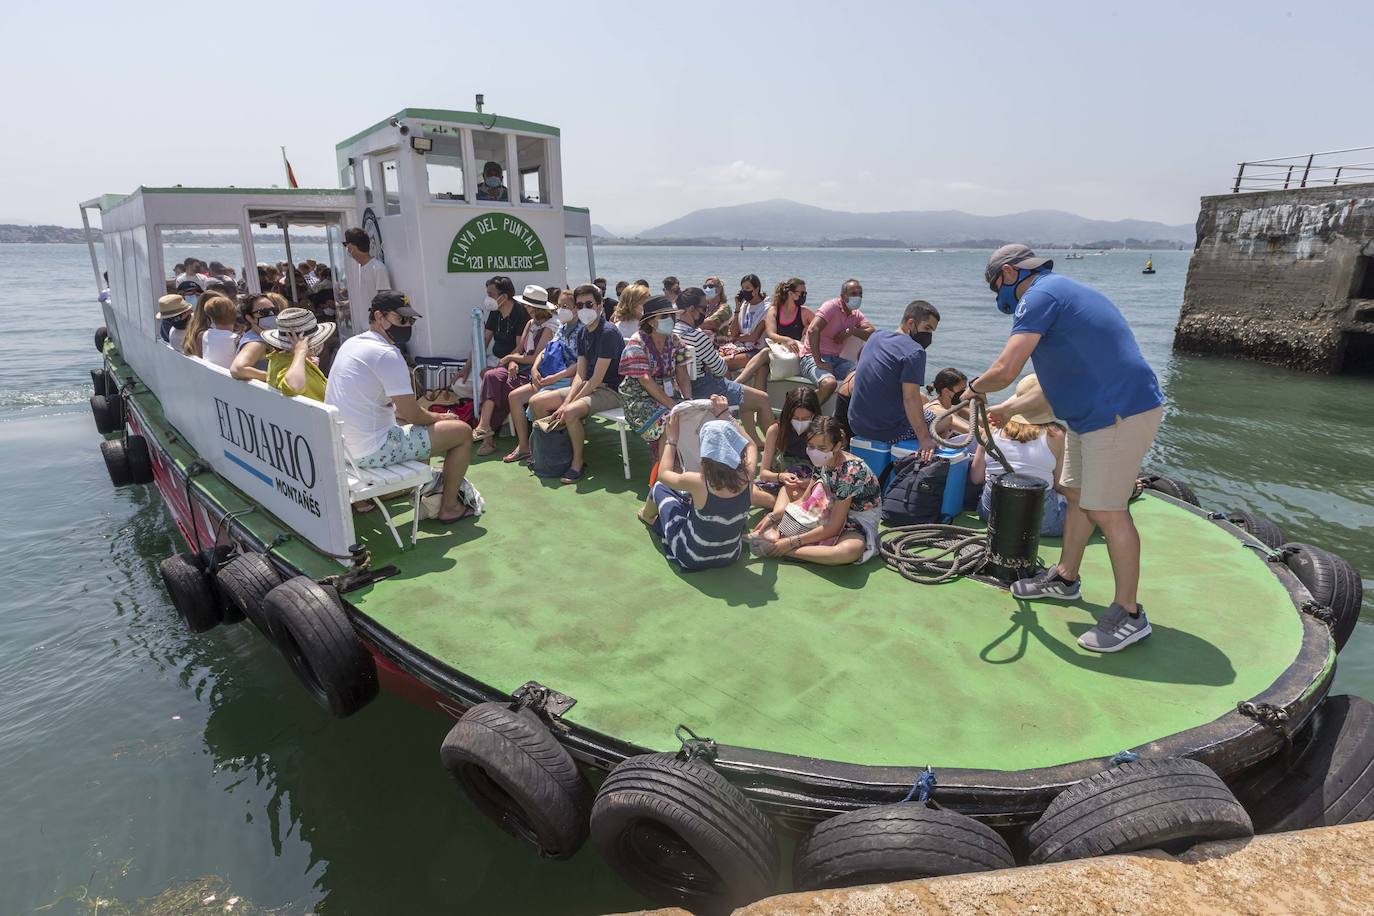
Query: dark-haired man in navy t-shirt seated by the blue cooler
x,y
888,404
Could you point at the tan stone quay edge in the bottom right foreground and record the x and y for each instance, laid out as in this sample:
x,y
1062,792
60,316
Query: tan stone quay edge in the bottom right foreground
x,y
1316,871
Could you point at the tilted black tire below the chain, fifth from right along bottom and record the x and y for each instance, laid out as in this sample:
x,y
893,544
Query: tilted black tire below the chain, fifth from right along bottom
x,y
517,774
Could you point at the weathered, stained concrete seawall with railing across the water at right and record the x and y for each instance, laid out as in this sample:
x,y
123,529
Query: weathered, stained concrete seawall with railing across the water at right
x,y
1284,277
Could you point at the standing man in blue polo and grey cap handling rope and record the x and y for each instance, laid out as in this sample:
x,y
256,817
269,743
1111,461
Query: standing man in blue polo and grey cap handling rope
x,y
1100,385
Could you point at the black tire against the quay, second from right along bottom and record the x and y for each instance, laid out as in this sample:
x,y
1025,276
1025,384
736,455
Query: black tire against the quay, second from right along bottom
x,y
1152,804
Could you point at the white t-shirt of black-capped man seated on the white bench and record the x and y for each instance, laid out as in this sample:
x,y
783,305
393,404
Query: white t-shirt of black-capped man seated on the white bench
x,y
368,373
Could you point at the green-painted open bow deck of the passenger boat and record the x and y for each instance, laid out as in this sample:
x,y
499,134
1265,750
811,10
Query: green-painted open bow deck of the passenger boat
x,y
564,586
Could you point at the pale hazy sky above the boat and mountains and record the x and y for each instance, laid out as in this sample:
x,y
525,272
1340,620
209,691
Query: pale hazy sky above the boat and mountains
x,y
989,108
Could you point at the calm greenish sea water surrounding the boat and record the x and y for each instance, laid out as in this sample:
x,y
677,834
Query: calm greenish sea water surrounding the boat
x,y
150,770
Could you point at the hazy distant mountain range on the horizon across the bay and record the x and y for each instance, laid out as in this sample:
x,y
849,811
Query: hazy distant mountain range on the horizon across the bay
x,y
791,223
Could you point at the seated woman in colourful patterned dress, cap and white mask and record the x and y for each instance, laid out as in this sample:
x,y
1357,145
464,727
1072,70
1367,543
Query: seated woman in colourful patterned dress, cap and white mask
x,y
653,370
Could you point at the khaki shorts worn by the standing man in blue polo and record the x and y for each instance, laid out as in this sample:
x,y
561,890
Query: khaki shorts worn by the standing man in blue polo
x,y
1104,465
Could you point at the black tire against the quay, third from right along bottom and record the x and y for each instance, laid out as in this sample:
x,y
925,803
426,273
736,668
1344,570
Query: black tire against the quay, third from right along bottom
x,y
897,843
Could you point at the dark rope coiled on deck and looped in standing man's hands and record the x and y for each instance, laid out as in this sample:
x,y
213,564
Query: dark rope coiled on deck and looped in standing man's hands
x,y
935,554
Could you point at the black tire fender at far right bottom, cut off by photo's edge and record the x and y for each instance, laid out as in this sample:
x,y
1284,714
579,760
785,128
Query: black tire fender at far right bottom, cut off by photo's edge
x,y
1332,781
